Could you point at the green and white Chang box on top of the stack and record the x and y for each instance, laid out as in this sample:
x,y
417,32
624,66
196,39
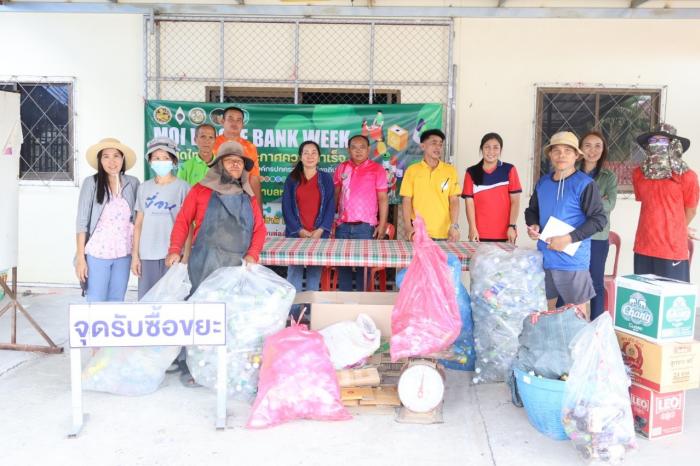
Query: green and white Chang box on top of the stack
x,y
655,308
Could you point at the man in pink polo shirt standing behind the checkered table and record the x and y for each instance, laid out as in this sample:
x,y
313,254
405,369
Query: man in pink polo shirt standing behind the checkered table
x,y
361,193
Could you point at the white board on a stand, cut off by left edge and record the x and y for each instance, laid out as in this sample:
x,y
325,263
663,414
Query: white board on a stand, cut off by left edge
x,y
10,143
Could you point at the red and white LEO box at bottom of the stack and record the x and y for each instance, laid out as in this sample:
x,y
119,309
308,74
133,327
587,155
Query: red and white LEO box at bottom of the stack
x,y
657,414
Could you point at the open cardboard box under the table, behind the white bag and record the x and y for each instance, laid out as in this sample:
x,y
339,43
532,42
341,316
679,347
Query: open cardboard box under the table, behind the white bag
x,y
329,307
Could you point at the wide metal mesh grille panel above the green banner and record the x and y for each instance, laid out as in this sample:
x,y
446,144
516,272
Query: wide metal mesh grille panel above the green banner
x,y
302,61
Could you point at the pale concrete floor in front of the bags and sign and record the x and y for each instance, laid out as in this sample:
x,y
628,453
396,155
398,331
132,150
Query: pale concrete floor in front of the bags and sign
x,y
175,425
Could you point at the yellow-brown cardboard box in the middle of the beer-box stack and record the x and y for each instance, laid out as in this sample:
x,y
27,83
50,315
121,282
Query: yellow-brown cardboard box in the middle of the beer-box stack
x,y
664,367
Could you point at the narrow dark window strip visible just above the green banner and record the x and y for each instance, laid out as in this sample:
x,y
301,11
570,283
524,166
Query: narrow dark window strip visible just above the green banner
x,y
271,95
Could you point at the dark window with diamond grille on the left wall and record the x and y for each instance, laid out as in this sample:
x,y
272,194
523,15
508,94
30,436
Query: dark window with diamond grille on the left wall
x,y
46,110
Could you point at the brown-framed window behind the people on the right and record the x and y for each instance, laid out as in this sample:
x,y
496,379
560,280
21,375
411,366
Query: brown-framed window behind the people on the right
x,y
620,114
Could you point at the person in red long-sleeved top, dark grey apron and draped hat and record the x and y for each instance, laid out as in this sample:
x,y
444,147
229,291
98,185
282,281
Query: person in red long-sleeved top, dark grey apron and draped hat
x,y
228,224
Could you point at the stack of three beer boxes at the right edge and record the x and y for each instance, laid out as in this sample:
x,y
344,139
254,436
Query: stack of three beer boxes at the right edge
x,y
655,322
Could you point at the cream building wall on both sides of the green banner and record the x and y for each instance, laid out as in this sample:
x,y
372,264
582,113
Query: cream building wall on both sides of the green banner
x,y
499,62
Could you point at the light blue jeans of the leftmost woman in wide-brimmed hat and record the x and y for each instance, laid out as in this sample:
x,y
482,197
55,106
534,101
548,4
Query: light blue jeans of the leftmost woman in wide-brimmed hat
x,y
107,278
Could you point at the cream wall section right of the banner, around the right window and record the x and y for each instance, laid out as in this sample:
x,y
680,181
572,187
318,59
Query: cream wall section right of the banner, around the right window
x,y
501,60
